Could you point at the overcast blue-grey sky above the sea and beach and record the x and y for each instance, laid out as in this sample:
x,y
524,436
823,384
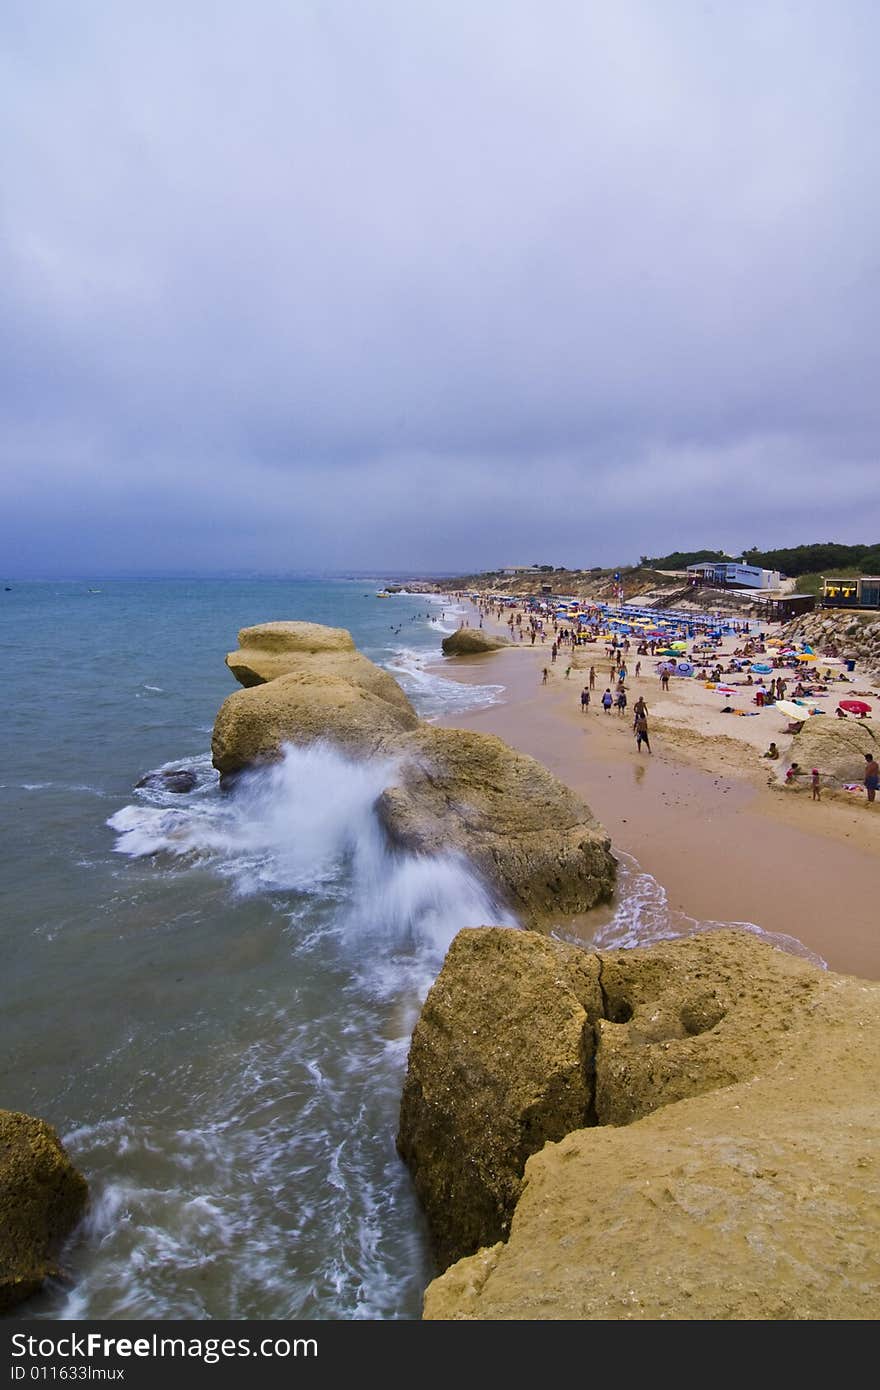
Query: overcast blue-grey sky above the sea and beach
x,y
436,286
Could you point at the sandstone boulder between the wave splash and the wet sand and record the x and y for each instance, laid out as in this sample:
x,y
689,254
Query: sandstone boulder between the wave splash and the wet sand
x,y
535,840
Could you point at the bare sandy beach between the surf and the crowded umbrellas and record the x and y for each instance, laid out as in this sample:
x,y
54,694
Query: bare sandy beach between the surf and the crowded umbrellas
x,y
699,812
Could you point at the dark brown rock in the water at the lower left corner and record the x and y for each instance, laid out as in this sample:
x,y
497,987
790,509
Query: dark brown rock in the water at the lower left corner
x,y
42,1197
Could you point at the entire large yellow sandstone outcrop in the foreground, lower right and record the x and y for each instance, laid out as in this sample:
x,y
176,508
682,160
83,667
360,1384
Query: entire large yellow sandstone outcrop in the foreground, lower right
x,y
729,1166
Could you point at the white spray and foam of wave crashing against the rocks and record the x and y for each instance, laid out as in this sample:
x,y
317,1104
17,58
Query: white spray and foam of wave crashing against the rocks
x,y
308,825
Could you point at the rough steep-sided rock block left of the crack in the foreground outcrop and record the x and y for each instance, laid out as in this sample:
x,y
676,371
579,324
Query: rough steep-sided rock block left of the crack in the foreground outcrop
x,y
490,1081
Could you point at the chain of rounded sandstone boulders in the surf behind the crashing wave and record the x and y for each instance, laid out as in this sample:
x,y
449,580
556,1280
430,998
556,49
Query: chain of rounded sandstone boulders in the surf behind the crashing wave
x,y
533,840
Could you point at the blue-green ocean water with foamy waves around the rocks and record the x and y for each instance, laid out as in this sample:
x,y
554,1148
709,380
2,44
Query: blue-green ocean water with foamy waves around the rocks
x,y
212,996
